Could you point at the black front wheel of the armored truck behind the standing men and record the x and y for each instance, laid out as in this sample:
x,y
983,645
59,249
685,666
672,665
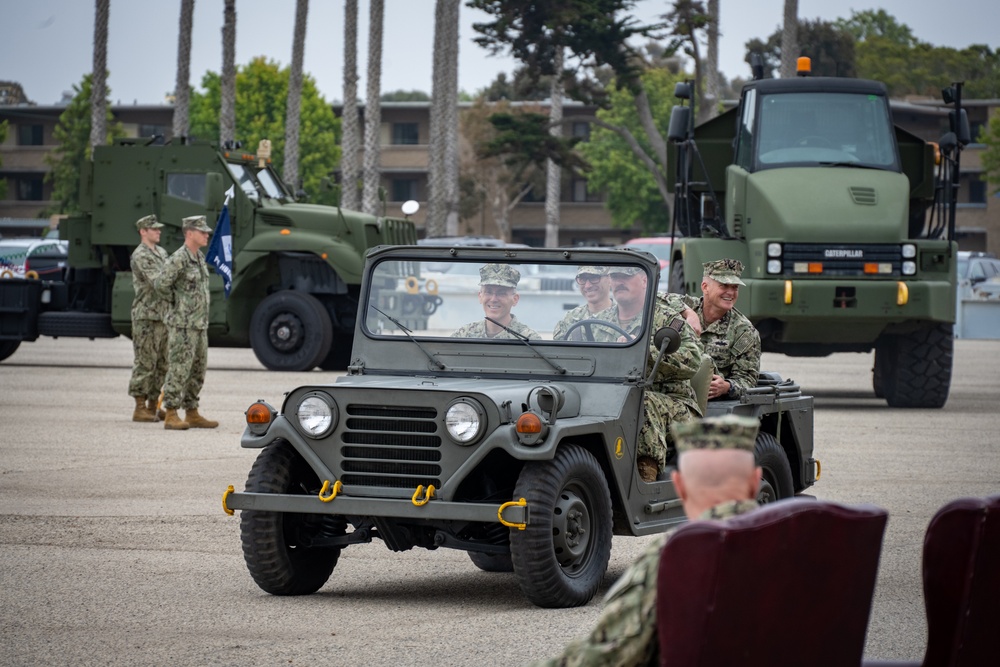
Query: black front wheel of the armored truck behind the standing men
x,y
290,331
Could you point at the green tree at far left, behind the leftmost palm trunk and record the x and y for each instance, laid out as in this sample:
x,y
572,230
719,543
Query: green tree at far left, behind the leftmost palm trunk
x,y
72,137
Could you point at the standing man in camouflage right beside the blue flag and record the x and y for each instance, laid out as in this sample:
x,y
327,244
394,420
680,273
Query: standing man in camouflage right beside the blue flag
x,y
185,280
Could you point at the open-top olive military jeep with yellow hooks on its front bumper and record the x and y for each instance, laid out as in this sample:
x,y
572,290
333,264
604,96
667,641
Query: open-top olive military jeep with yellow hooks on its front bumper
x,y
519,449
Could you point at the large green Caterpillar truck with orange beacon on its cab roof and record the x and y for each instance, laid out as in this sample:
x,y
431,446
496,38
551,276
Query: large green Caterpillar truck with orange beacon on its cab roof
x,y
844,222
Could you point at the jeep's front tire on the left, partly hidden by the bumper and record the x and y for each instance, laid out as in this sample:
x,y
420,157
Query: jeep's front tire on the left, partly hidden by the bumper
x,y
274,543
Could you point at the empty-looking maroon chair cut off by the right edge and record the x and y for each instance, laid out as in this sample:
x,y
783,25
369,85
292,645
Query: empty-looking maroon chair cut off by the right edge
x,y
961,571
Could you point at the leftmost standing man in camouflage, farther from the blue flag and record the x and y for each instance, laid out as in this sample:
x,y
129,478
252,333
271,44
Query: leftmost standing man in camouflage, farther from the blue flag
x,y
149,332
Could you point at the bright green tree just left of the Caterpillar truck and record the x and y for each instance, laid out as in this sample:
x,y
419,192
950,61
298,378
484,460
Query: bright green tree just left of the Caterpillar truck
x,y
633,194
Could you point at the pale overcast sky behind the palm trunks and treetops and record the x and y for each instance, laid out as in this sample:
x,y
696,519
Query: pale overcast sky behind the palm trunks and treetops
x,y
47,44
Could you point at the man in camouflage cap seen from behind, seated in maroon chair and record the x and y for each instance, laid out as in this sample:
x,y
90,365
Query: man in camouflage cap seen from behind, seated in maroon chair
x,y
716,478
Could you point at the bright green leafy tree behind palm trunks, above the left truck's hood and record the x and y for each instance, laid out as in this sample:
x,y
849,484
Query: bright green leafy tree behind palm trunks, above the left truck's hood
x,y
261,89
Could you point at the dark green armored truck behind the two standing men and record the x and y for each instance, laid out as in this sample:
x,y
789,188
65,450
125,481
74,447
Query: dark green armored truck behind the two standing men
x,y
296,267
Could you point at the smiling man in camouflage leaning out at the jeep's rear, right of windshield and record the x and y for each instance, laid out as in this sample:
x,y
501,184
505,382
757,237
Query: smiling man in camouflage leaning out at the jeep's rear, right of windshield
x,y
728,336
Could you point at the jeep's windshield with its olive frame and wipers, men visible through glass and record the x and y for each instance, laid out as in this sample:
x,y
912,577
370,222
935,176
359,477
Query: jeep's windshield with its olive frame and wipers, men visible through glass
x,y
434,297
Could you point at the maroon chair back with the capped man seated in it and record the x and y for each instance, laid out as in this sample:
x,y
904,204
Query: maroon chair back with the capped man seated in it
x,y
788,584
